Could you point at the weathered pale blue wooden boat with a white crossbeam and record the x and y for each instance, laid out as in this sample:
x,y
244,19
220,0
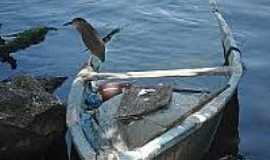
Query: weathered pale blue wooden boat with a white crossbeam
x,y
184,129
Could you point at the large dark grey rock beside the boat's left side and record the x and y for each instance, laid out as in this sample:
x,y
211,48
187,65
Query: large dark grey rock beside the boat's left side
x,y
32,120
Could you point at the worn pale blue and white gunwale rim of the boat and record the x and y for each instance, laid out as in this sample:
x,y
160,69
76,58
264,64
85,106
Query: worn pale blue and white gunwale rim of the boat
x,y
174,135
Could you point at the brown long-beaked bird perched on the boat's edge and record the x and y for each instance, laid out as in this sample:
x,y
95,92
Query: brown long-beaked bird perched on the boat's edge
x,y
91,38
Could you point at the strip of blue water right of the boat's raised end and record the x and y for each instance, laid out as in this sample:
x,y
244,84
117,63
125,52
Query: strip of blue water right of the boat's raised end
x,y
251,23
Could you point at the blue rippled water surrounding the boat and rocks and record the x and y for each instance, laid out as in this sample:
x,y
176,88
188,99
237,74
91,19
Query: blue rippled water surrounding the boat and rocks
x,y
155,35
